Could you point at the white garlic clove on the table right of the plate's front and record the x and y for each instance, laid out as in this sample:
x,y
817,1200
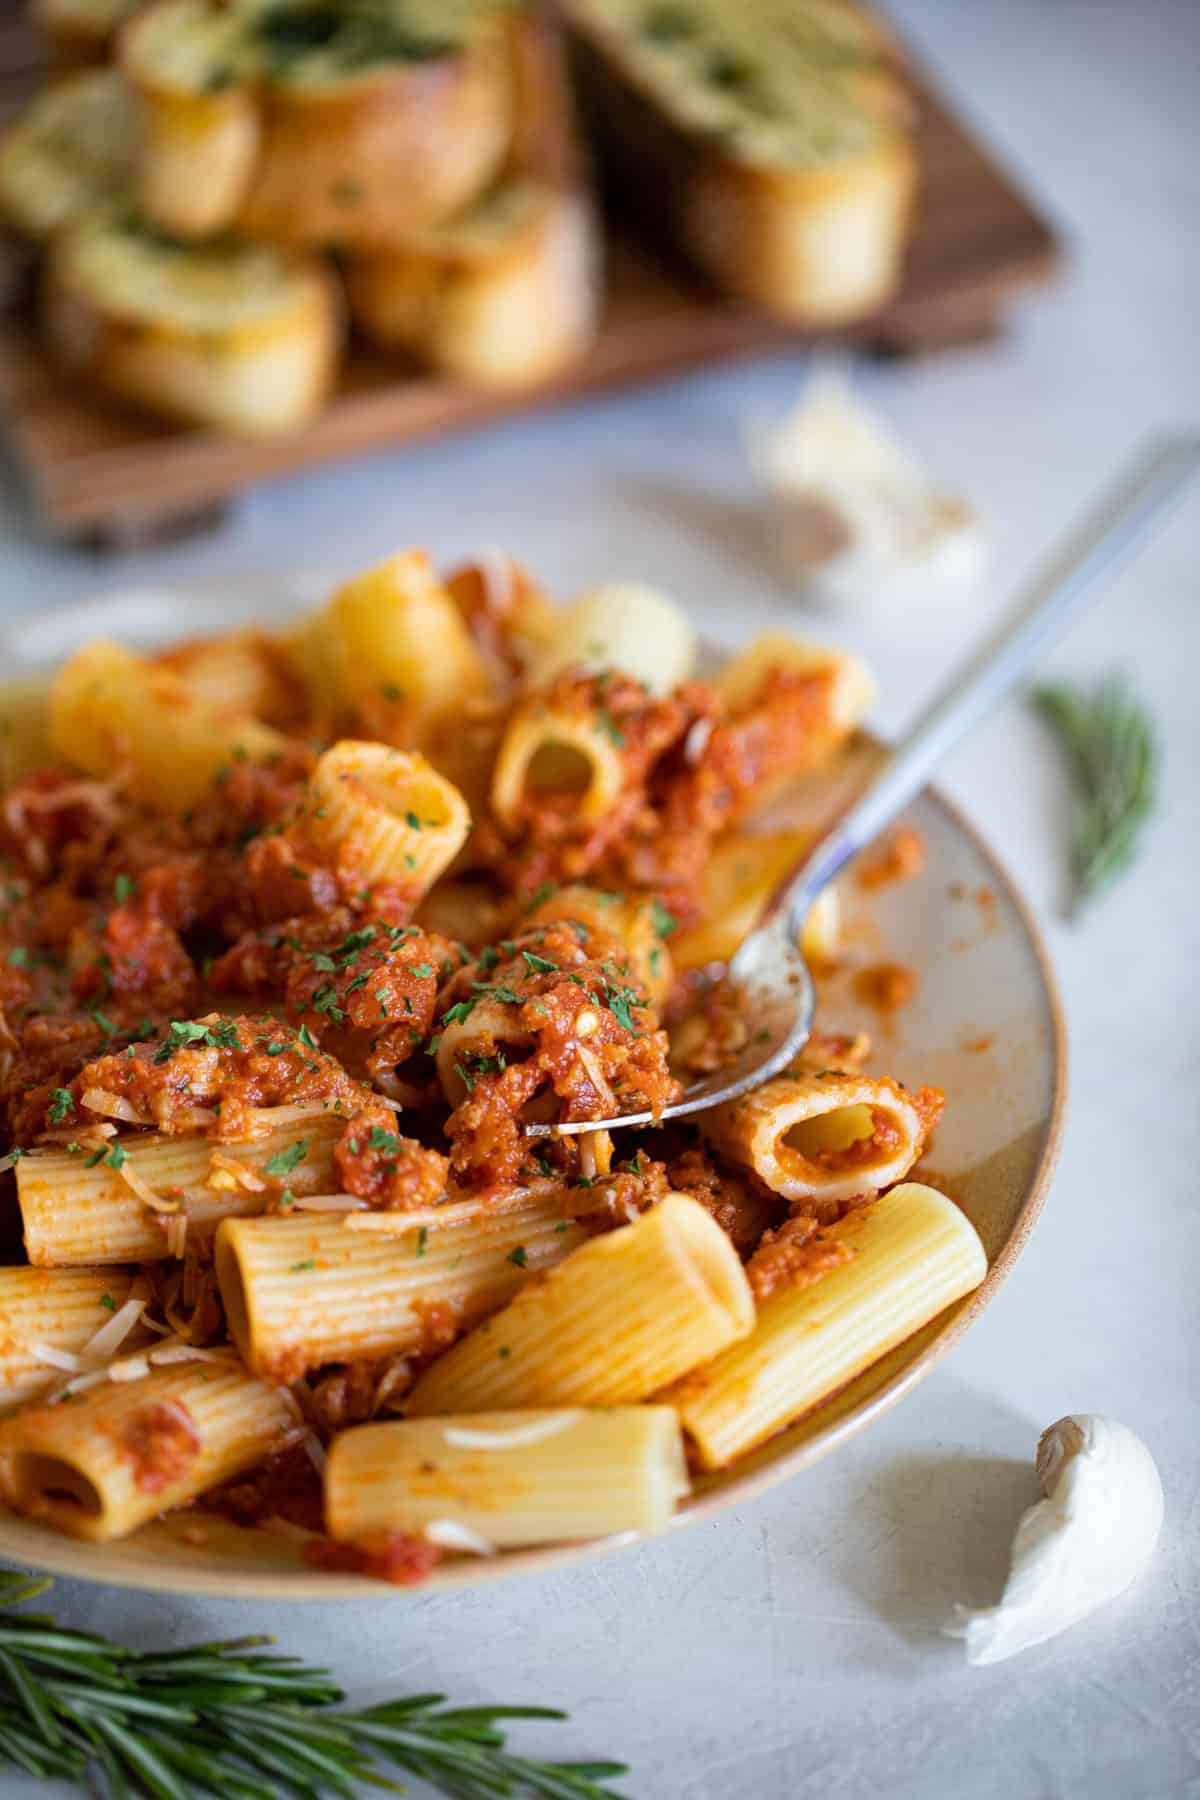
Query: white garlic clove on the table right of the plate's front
x,y
1080,1547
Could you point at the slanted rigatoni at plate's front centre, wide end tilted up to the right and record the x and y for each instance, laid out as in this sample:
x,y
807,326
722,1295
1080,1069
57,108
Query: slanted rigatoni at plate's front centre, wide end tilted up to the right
x,y
618,1320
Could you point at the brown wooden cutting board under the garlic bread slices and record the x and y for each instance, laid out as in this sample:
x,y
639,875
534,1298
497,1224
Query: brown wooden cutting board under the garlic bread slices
x,y
118,478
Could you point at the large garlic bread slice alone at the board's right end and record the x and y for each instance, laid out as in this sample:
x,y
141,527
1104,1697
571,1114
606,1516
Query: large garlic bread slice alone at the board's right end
x,y
767,138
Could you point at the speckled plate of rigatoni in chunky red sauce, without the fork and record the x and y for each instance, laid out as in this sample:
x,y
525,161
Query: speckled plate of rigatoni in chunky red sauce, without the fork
x,y
309,915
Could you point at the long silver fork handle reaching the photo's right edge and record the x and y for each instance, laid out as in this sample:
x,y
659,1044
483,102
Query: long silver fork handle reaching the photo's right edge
x,y
1111,532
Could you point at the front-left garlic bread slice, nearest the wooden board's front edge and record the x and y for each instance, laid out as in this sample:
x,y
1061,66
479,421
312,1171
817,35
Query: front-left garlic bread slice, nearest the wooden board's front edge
x,y
231,336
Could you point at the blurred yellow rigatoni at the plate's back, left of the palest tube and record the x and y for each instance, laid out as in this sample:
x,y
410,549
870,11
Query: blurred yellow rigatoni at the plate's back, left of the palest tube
x,y
404,658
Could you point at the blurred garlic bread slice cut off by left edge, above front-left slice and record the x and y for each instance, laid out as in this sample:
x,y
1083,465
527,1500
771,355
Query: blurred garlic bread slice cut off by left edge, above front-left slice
x,y
71,150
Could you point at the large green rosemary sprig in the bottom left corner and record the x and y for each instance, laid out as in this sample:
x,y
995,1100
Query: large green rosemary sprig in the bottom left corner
x,y
229,1722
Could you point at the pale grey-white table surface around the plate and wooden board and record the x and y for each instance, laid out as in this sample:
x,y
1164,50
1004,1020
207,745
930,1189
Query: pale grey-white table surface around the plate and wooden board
x,y
793,1648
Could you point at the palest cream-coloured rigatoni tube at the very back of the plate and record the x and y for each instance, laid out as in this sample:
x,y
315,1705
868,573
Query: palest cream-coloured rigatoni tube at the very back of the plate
x,y
623,625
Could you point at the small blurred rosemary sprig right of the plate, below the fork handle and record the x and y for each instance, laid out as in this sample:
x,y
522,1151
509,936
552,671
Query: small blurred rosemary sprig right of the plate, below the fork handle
x,y
1111,744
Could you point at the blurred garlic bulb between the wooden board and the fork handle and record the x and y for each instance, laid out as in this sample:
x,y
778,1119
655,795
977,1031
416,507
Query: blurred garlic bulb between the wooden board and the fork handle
x,y
855,517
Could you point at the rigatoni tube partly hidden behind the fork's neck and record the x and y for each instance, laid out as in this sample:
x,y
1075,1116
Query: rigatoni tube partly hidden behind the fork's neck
x,y
739,883
